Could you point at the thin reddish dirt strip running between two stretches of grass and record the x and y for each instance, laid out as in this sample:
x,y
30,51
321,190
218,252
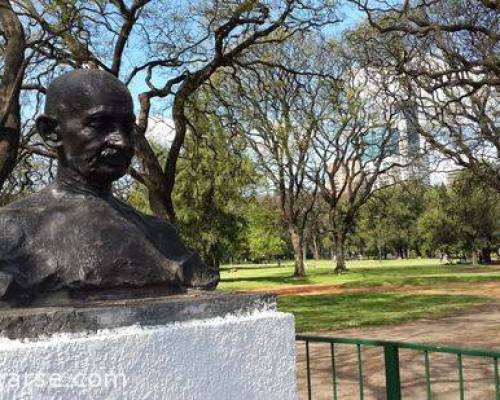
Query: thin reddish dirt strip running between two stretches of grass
x,y
490,289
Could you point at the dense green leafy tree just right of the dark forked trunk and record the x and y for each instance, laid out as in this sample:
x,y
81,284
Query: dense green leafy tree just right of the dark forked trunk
x,y
212,181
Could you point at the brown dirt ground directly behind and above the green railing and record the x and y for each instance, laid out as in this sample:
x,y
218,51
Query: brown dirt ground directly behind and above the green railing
x,y
477,327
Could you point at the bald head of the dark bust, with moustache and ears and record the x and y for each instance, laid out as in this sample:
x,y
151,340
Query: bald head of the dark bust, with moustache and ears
x,y
89,120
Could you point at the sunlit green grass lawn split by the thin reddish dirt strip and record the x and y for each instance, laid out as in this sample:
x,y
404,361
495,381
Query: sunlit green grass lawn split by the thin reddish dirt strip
x,y
336,311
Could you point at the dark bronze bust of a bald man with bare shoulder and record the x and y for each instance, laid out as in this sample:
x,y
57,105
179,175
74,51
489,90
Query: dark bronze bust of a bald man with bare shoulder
x,y
74,235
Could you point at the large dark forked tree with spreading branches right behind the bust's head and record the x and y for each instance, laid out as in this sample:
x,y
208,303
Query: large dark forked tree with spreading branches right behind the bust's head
x,y
165,52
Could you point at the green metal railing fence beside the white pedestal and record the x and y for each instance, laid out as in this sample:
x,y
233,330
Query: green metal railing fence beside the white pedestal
x,y
392,366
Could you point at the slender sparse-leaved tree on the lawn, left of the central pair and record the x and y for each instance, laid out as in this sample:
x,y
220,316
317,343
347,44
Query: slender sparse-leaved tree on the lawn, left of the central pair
x,y
277,110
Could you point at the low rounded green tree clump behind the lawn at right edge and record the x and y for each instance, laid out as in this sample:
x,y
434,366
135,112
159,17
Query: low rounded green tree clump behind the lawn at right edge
x,y
460,219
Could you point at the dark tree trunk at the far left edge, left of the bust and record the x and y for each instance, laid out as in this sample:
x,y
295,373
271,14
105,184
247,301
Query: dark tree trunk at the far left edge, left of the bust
x,y
10,87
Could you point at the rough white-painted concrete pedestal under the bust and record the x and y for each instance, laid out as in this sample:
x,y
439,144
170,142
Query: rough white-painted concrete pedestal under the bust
x,y
234,356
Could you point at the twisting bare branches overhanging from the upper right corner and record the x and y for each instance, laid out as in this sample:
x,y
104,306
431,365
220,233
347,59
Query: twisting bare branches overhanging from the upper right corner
x,y
444,57
